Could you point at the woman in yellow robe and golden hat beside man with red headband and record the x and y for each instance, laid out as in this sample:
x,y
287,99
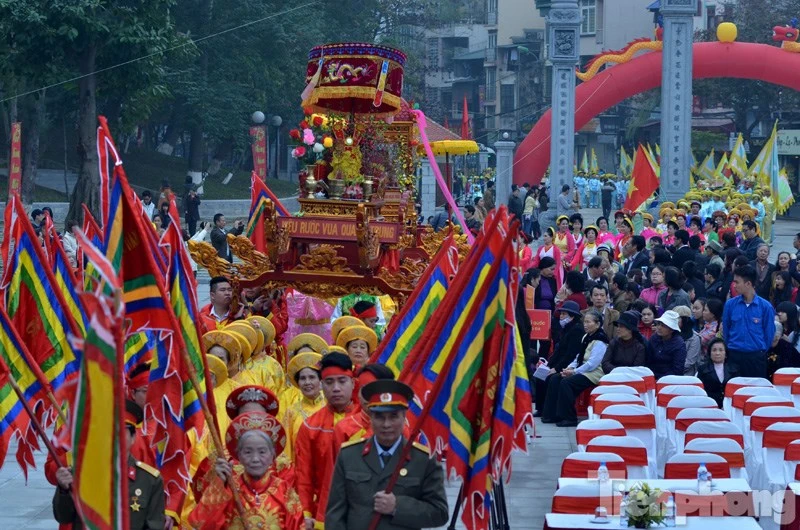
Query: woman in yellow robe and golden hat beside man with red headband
x,y
303,376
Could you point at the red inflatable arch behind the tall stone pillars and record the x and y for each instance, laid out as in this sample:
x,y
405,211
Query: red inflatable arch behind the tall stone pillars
x,y
611,86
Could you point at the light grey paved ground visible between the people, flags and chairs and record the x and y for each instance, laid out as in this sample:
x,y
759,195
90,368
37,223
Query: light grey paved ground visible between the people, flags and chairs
x,y
27,506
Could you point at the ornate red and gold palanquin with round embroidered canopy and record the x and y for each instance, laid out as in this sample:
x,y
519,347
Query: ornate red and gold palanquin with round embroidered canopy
x,y
336,246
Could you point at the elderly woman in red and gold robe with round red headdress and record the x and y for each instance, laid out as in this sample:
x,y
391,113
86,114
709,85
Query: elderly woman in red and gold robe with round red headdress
x,y
256,438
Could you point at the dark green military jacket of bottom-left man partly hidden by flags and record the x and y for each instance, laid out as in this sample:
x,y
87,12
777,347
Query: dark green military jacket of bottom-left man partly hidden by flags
x,y
146,500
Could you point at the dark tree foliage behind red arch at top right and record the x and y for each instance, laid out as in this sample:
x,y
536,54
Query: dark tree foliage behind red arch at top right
x,y
752,102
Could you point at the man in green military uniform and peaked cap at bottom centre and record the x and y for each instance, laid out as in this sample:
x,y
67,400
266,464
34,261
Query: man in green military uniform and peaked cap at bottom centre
x,y
364,467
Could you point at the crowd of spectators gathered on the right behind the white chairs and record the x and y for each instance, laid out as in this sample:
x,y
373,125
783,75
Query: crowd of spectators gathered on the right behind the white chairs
x,y
696,293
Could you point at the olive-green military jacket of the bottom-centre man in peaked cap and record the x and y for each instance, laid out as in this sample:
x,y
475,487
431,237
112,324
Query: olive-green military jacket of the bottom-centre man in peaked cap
x,y
358,476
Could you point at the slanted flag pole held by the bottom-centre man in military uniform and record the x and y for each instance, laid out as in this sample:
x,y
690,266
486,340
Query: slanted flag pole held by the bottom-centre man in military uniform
x,y
405,456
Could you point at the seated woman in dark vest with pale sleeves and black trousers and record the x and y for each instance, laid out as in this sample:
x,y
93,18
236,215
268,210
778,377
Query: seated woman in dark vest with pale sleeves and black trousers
x,y
582,373
